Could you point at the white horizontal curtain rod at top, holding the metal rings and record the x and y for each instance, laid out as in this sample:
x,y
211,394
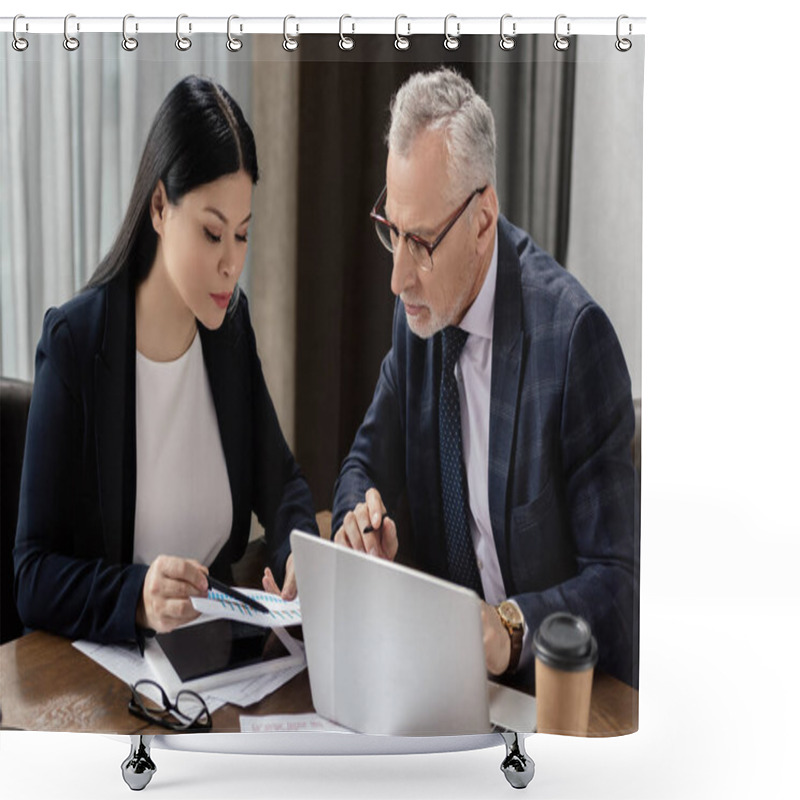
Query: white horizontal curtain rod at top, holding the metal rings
x,y
347,25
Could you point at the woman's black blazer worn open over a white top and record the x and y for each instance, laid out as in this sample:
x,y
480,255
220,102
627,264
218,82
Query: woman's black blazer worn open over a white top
x,y
74,542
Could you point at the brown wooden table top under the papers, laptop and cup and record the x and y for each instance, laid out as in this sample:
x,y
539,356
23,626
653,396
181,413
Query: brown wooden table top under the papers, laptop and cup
x,y
48,685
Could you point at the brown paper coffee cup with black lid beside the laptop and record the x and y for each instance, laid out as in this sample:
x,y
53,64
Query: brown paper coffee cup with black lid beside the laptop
x,y
565,653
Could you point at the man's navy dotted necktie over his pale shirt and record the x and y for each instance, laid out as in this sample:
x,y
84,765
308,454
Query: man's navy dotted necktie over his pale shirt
x,y
460,553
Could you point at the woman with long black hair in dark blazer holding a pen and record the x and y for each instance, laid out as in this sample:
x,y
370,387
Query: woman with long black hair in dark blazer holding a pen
x,y
151,435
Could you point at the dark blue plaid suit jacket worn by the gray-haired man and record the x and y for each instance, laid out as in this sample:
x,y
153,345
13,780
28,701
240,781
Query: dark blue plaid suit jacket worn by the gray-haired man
x,y
560,473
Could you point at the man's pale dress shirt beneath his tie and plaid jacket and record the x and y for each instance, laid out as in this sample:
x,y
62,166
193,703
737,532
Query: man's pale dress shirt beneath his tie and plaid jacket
x,y
474,377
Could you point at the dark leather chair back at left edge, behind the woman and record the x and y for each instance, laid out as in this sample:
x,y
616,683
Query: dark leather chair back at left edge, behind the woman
x,y
15,400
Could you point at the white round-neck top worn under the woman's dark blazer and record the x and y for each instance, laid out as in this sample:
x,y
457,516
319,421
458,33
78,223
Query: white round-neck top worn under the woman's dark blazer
x,y
183,497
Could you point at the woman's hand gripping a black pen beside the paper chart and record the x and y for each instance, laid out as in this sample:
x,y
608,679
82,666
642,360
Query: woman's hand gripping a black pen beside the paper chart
x,y
169,583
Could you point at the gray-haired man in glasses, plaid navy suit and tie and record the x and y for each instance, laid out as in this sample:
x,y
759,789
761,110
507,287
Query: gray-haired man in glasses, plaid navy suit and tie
x,y
503,409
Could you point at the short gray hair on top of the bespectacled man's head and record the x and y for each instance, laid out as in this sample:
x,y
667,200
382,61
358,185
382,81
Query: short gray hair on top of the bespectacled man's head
x,y
443,100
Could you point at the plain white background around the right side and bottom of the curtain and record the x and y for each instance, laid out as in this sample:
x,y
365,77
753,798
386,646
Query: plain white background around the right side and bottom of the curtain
x,y
720,531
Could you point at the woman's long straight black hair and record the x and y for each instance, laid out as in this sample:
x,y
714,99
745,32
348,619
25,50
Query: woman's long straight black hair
x,y
199,134
